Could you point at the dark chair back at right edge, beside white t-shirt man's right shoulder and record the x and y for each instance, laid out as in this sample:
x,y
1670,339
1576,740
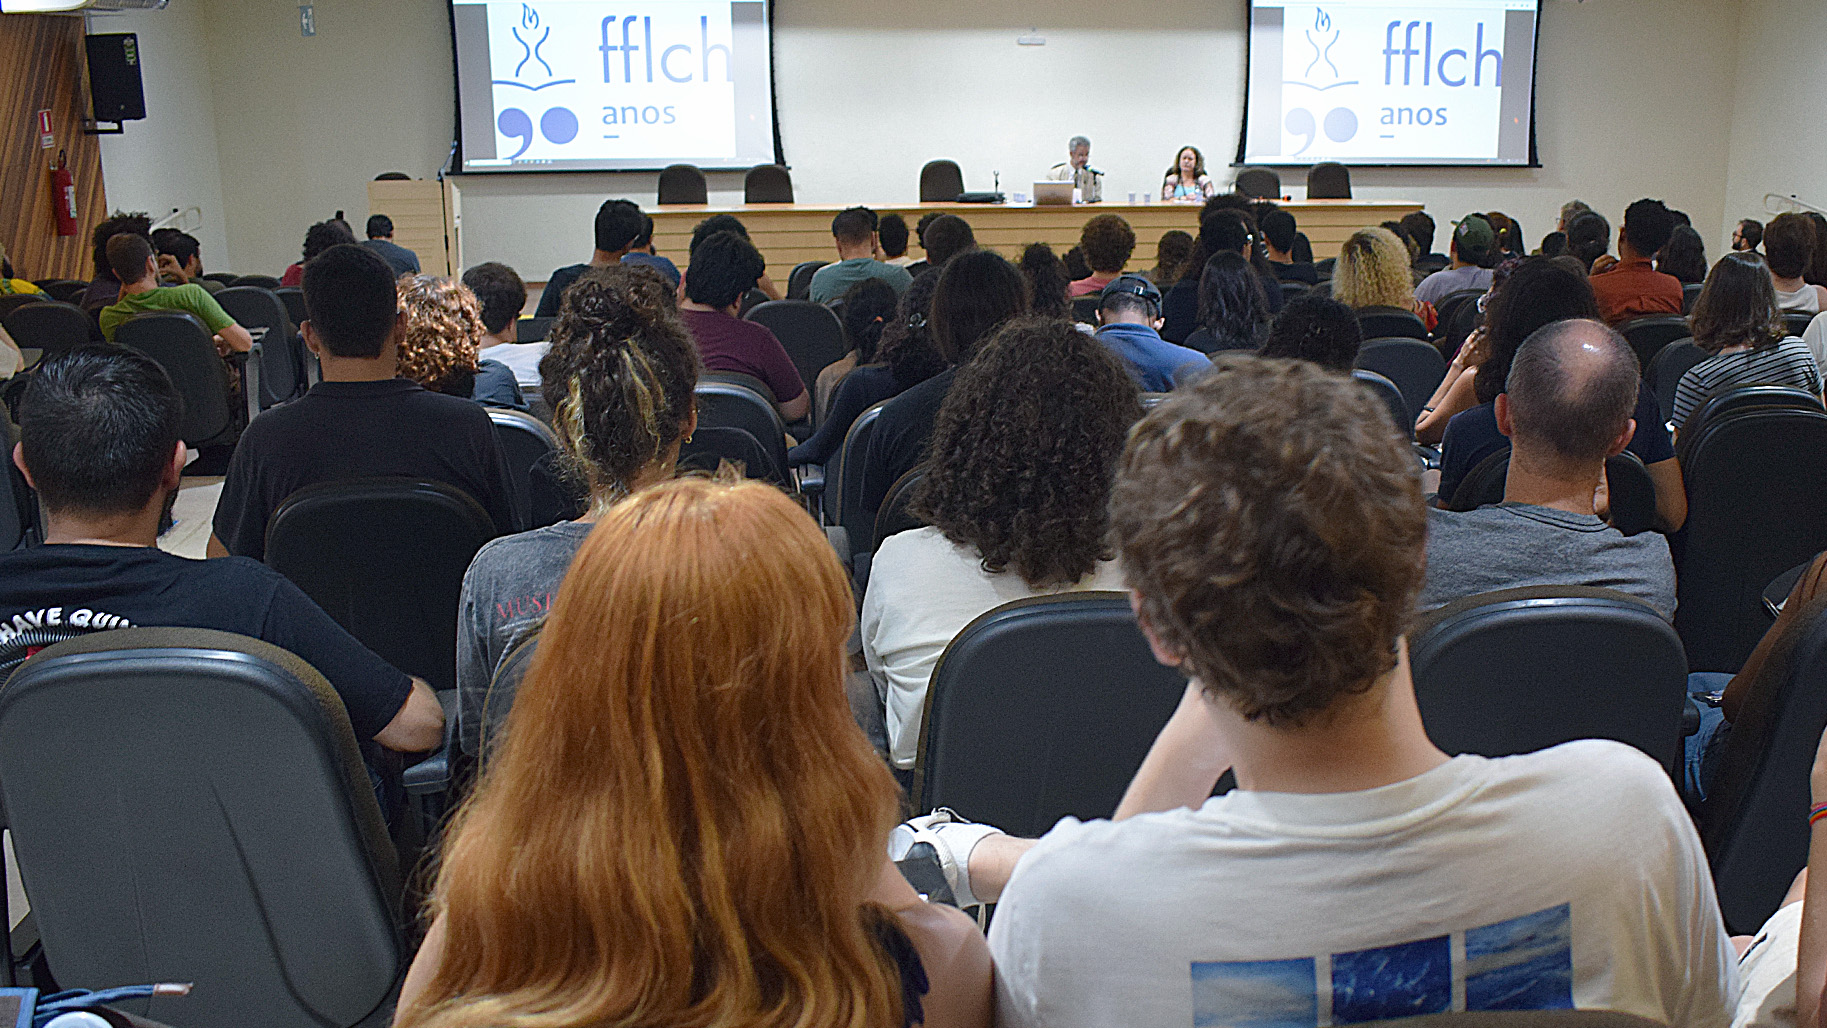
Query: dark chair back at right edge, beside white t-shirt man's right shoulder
x,y
1755,821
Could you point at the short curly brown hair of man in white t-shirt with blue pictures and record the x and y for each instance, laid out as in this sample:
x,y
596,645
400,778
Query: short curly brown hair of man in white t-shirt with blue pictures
x,y
1274,529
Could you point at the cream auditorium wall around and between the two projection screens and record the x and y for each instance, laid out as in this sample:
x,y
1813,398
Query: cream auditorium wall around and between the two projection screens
x,y
1634,100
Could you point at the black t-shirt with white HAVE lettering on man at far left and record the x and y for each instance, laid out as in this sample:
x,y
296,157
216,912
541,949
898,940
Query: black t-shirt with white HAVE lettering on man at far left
x,y
56,593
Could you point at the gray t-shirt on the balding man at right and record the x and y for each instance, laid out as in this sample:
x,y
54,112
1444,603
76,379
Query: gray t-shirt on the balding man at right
x,y
1519,545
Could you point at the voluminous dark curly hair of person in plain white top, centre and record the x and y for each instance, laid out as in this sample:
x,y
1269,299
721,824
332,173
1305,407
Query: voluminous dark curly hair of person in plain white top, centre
x,y
1026,448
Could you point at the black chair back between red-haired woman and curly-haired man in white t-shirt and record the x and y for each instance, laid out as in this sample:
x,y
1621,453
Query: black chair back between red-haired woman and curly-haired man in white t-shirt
x,y
1040,709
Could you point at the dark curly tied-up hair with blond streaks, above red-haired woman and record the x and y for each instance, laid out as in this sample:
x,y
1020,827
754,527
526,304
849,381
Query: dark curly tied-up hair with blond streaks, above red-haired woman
x,y
618,377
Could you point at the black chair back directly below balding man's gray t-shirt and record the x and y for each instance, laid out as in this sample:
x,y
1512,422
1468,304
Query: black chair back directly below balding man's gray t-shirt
x,y
1517,671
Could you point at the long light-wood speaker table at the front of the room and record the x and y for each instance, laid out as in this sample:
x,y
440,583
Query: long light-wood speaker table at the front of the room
x,y
792,233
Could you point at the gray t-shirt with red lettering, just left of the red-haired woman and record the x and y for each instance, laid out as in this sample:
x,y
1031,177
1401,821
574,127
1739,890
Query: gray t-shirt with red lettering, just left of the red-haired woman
x,y
507,593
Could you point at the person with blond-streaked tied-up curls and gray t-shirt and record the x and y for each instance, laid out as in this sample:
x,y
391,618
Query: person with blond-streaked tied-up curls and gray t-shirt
x,y
620,381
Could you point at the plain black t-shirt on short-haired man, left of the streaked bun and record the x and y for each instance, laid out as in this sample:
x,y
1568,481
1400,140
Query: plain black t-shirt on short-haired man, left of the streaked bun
x,y
359,430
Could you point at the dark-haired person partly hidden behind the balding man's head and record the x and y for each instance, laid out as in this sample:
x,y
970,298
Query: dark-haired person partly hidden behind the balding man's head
x,y
1539,293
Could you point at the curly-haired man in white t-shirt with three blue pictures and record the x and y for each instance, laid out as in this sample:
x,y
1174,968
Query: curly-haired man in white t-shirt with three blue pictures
x,y
1274,536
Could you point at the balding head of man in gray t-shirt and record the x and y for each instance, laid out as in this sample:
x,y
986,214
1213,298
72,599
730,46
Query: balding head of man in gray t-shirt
x,y
1572,392
